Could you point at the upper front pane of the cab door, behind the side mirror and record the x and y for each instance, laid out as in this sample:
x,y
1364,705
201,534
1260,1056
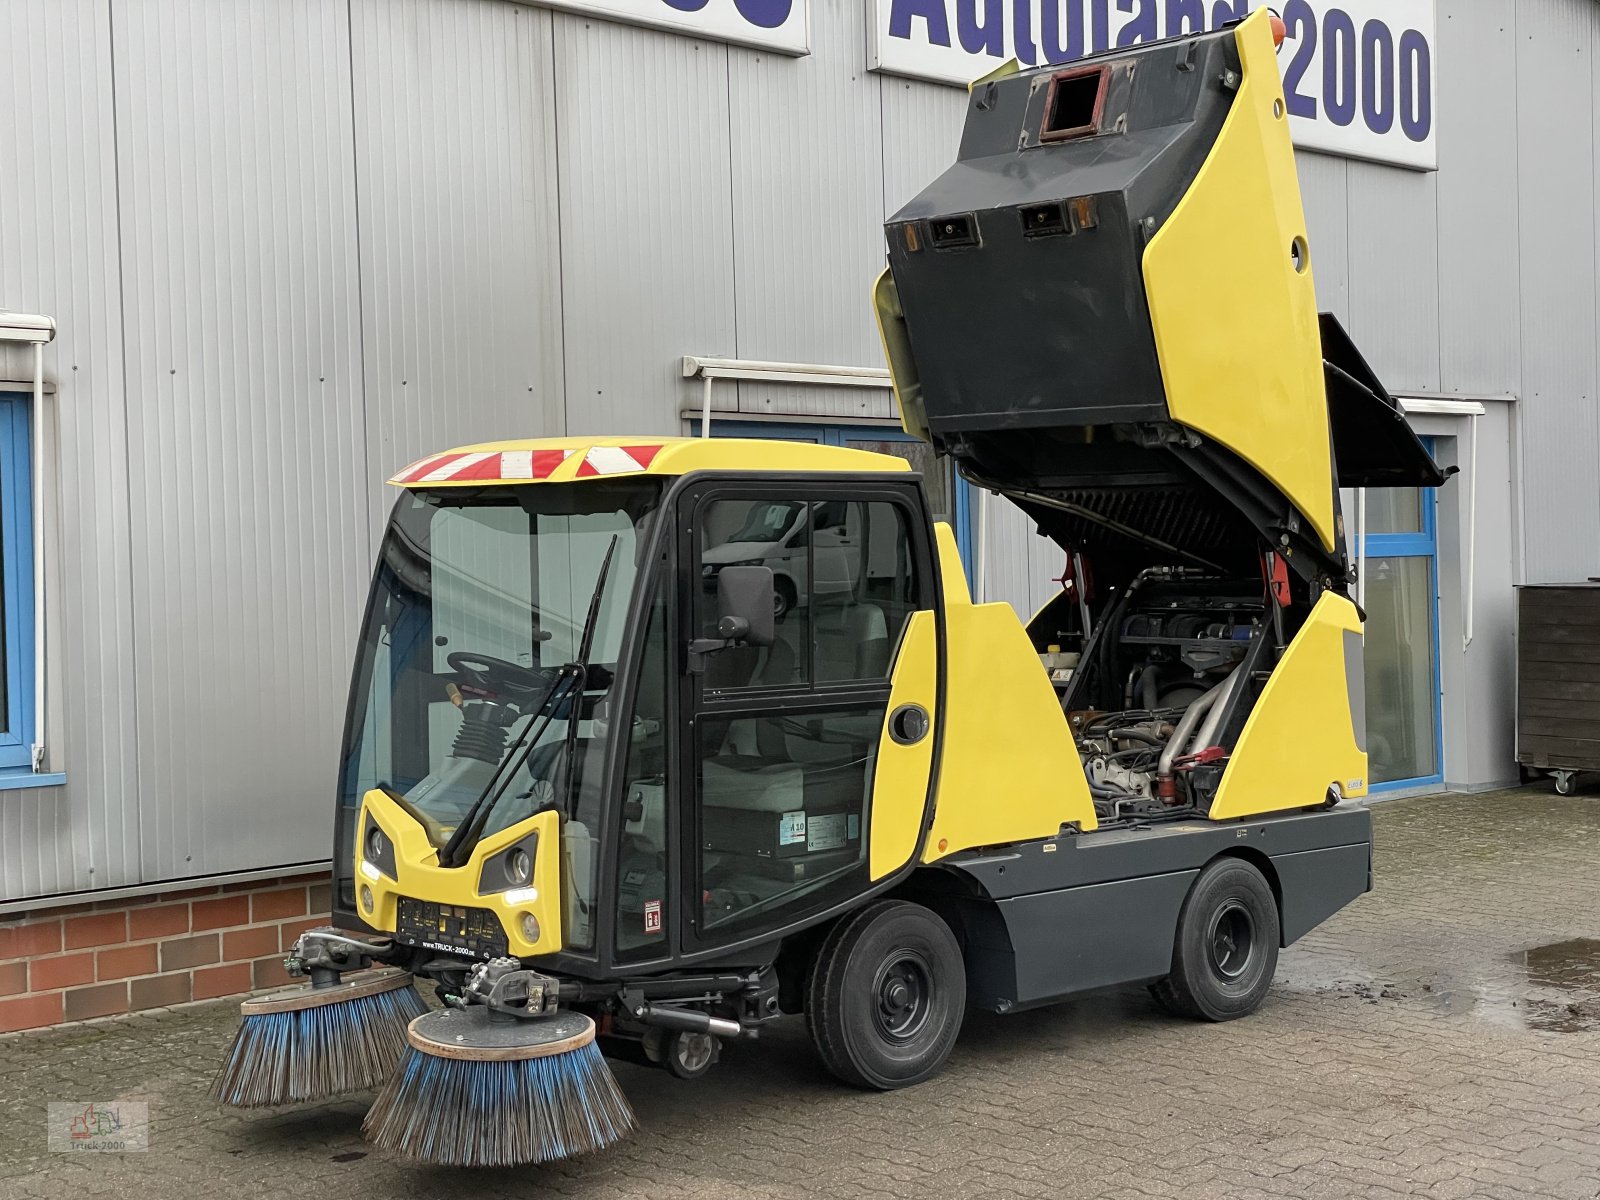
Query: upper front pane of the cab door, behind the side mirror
x,y
770,534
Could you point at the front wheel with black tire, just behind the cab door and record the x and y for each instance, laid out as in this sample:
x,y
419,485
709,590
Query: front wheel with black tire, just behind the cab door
x,y
887,996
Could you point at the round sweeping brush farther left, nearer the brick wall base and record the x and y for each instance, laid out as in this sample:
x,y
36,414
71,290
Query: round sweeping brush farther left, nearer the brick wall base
x,y
314,1042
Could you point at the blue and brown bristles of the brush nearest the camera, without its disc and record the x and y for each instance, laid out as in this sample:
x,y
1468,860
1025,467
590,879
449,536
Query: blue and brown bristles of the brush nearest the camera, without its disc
x,y
465,1113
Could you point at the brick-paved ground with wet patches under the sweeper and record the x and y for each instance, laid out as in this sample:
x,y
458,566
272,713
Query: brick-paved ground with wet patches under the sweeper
x,y
1441,1038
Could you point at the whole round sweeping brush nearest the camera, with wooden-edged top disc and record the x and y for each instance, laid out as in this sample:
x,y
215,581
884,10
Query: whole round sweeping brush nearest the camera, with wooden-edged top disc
x,y
481,1089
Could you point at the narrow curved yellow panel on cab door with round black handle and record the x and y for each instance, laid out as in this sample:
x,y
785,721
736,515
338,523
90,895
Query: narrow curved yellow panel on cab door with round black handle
x,y
900,782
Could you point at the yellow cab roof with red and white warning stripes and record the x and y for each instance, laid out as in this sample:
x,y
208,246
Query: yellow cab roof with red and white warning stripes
x,y
673,457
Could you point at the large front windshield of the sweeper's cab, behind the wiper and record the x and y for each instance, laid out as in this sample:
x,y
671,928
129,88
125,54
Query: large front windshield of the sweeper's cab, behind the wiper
x,y
479,601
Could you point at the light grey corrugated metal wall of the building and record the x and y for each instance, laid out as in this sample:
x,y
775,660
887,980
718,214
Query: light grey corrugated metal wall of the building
x,y
294,244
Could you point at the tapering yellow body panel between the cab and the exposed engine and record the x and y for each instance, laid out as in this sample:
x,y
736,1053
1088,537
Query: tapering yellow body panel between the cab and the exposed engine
x,y
1009,769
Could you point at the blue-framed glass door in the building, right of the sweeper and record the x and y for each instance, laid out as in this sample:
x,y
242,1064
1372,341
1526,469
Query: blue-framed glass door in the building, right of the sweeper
x,y
1406,719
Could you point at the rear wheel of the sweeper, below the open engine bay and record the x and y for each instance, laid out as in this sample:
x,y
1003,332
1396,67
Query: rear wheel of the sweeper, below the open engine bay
x,y
1226,948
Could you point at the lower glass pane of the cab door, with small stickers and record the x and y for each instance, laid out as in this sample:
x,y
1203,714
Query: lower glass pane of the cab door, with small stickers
x,y
783,812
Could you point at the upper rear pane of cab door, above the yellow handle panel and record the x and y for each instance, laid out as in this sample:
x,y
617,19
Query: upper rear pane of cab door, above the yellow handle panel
x,y
865,588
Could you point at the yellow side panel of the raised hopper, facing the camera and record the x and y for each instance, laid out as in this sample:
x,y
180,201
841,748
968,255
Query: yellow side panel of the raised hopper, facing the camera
x,y
1236,324
